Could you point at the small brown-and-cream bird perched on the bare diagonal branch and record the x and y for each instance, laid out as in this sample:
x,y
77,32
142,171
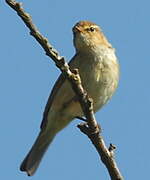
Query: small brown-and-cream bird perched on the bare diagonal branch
x,y
98,67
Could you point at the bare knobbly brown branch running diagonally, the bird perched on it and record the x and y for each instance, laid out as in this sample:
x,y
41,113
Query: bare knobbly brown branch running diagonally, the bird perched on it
x,y
91,128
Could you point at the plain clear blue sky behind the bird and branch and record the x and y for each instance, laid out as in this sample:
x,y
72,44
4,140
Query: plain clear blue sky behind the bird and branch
x,y
27,76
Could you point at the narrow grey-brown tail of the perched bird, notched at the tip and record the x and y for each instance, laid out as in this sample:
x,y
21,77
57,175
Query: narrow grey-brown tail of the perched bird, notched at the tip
x,y
33,158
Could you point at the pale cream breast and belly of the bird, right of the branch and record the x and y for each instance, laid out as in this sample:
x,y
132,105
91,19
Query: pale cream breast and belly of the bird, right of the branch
x,y
100,78
